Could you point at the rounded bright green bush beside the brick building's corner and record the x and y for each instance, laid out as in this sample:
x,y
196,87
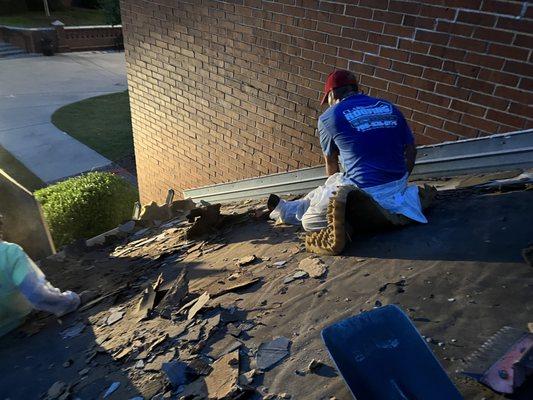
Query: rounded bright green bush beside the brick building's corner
x,y
85,206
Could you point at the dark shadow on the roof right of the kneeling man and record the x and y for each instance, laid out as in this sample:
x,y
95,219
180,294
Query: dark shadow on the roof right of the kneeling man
x,y
462,227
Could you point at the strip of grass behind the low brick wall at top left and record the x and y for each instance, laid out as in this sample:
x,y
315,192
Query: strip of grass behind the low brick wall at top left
x,y
71,16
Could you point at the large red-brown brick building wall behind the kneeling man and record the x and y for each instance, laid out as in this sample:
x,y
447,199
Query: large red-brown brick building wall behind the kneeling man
x,y
228,90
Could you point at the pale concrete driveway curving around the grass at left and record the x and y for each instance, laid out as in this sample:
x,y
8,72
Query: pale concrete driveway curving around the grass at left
x,y
32,88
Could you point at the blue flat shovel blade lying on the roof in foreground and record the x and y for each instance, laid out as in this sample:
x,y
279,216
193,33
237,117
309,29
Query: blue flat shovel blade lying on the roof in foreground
x,y
381,356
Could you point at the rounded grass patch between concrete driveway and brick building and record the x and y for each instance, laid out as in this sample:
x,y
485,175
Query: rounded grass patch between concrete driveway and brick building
x,y
103,123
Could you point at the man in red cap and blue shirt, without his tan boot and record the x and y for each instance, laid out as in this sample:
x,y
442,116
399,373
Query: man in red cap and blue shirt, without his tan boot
x,y
371,138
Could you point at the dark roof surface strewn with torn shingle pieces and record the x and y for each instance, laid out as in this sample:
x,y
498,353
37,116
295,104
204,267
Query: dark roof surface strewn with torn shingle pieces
x,y
461,278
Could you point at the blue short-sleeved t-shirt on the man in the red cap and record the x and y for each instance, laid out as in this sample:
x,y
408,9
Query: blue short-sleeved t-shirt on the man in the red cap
x,y
370,135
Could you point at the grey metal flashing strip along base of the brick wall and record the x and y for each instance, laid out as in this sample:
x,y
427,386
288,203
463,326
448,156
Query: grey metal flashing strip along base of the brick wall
x,y
500,152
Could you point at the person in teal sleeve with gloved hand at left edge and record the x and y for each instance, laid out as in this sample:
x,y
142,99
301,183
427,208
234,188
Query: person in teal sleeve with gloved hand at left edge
x,y
24,287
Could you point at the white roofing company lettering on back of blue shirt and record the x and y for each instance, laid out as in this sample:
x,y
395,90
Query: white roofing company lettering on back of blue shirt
x,y
375,116
